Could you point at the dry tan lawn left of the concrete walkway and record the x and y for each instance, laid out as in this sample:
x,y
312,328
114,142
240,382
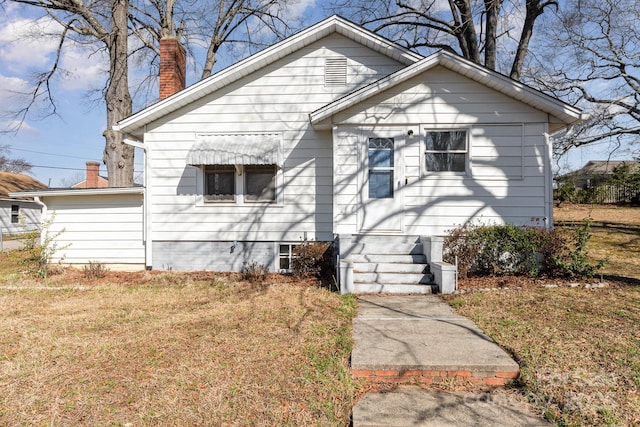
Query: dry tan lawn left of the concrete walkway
x,y
172,349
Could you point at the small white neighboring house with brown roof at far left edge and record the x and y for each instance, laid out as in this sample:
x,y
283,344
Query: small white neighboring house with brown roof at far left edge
x,y
18,215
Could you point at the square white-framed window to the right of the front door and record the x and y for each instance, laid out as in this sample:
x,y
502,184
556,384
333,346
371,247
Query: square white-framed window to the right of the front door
x,y
446,151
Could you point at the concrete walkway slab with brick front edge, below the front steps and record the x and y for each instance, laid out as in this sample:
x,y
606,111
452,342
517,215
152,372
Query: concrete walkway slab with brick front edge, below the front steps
x,y
419,339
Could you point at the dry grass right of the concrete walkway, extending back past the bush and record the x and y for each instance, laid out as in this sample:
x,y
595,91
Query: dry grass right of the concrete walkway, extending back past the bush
x,y
578,349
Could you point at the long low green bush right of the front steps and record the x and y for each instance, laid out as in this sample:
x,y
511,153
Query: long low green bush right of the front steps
x,y
491,250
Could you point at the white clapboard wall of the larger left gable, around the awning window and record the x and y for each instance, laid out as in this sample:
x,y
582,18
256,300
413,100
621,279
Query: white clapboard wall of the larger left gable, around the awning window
x,y
276,99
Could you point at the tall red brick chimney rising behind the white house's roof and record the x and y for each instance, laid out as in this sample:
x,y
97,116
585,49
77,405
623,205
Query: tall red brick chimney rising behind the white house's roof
x,y
172,66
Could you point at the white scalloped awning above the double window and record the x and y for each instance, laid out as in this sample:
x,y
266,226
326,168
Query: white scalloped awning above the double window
x,y
236,149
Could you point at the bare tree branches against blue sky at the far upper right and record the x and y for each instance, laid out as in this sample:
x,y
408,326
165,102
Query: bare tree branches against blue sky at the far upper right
x,y
593,59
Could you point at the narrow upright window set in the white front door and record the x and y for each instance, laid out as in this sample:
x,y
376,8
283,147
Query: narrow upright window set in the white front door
x,y
381,165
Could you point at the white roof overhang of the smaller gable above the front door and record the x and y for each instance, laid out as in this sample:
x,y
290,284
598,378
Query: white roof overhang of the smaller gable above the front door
x,y
561,114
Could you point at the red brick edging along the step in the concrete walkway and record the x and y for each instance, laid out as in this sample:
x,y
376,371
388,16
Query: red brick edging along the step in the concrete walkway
x,y
434,377
